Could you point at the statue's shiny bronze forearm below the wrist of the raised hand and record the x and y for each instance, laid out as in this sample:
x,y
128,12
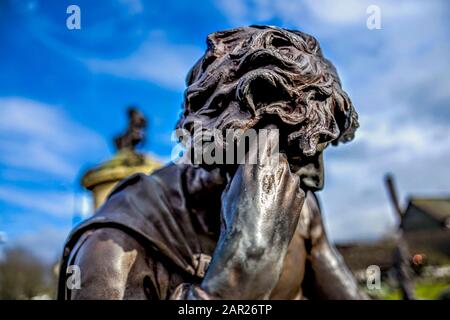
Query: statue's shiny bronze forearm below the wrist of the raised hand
x,y
238,270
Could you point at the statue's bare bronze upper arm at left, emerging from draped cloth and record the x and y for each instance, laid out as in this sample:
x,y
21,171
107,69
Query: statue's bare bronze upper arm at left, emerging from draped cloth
x,y
112,266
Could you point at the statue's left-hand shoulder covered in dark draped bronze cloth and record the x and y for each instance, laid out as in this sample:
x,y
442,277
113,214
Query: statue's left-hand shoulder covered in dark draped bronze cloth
x,y
151,209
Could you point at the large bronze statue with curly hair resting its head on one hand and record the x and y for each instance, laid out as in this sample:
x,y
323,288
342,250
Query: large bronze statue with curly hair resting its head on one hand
x,y
240,231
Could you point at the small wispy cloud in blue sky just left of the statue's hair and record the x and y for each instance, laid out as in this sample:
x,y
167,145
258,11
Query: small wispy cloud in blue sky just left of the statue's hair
x,y
157,61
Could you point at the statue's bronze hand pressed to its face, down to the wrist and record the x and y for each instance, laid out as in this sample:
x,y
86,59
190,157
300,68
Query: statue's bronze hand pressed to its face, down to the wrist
x,y
262,202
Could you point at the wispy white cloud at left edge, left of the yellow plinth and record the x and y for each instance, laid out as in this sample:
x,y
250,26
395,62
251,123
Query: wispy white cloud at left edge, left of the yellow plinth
x,y
40,137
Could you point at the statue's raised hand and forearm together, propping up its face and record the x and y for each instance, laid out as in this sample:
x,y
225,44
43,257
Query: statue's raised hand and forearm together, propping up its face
x,y
260,211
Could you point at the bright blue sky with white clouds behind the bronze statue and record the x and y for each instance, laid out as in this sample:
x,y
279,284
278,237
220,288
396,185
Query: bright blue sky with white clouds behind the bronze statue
x,y
63,94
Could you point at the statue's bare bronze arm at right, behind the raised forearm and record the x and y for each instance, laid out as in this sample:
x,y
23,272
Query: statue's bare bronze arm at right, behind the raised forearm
x,y
332,278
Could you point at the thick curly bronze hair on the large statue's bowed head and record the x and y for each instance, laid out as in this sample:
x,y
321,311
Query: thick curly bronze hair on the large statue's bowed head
x,y
251,73
